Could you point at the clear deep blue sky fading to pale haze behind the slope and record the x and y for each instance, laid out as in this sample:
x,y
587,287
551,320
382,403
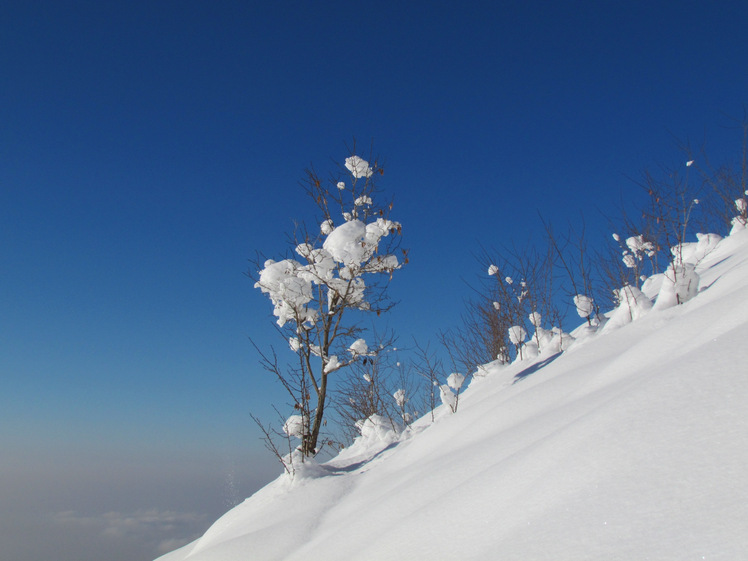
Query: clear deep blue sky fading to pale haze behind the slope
x,y
147,150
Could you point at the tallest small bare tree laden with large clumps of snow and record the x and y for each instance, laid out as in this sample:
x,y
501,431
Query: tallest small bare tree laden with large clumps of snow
x,y
340,271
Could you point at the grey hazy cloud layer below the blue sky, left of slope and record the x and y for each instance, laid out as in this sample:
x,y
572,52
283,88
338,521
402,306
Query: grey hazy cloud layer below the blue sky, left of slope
x,y
123,506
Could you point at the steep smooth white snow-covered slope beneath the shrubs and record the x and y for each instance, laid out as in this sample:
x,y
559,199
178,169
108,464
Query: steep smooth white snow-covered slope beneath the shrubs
x,y
631,445
